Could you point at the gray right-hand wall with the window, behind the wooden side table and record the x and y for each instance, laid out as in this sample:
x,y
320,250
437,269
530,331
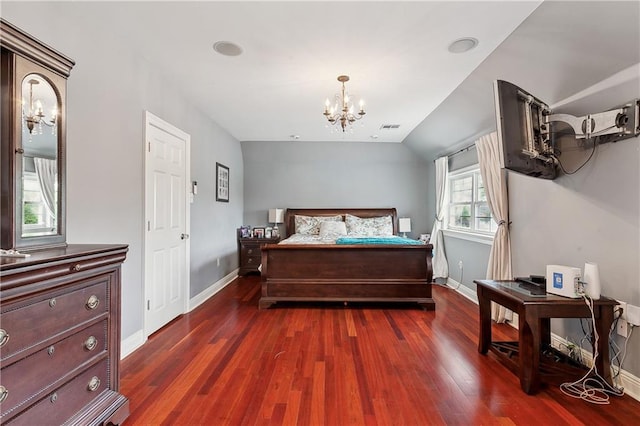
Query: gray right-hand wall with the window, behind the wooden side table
x,y
593,215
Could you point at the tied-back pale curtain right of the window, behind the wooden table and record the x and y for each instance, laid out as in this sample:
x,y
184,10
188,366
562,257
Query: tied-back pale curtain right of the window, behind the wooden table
x,y
495,183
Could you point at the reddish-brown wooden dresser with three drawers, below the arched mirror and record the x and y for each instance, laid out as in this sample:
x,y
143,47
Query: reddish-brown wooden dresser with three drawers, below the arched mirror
x,y
60,337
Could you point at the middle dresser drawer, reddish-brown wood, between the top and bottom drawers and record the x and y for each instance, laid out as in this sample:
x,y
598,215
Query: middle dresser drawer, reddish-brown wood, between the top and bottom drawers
x,y
36,373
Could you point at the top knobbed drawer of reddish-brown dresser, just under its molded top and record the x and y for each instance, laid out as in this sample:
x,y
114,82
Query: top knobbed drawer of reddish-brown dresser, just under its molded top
x,y
26,324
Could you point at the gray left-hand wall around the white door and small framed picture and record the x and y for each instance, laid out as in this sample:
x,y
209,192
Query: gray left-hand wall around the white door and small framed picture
x,y
108,92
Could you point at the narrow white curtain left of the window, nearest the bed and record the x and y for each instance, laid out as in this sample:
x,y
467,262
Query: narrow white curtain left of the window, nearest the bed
x,y
440,265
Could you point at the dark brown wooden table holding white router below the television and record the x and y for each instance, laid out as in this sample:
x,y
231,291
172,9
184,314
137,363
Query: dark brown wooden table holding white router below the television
x,y
534,335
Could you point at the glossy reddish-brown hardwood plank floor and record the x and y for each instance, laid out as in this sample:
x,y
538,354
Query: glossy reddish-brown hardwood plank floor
x,y
226,362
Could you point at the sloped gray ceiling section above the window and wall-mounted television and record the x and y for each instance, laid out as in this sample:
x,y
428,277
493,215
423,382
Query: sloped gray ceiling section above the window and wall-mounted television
x,y
561,49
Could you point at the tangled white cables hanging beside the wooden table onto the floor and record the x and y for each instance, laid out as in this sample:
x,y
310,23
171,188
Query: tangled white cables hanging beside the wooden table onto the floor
x,y
595,389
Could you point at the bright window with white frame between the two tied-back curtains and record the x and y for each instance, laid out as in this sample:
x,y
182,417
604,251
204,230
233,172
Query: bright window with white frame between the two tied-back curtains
x,y
468,207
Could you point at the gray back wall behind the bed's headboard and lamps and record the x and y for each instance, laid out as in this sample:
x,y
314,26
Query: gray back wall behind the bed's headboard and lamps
x,y
334,174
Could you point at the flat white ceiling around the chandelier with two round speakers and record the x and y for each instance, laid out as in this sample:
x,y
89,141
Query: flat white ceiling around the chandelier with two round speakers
x,y
395,54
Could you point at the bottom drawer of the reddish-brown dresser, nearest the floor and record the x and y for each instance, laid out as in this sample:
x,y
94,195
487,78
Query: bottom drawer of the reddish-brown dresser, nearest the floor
x,y
61,404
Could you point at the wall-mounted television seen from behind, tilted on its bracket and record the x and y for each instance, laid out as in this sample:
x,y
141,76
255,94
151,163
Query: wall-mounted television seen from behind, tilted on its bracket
x,y
525,138
